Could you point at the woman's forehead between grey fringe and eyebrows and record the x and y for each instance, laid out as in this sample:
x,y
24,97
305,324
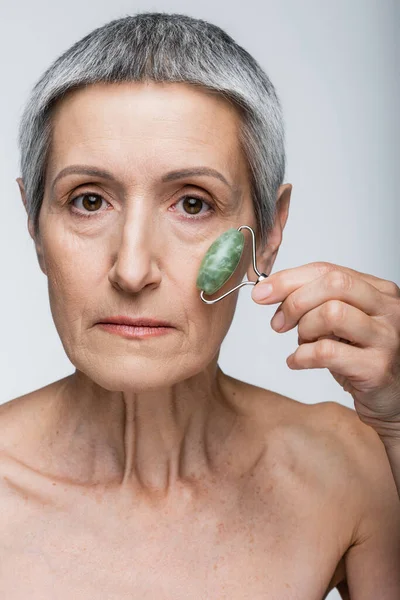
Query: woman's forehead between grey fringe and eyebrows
x,y
138,120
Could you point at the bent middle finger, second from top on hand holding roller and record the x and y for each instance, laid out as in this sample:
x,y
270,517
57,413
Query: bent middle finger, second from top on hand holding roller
x,y
334,285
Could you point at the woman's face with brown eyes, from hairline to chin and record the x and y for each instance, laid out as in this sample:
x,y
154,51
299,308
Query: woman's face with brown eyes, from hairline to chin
x,y
130,241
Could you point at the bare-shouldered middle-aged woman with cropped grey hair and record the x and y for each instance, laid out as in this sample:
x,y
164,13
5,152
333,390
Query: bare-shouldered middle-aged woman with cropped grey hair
x,y
148,472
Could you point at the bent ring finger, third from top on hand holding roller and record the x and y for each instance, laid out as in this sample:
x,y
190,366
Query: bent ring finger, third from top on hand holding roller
x,y
343,321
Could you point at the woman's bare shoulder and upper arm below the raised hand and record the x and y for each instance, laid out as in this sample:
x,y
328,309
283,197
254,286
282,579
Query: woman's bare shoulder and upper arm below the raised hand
x,y
332,455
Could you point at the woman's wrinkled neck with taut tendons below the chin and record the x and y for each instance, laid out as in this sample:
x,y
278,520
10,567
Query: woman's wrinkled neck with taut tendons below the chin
x,y
150,440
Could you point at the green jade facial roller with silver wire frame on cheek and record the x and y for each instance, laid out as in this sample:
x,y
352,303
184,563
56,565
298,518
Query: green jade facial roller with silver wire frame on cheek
x,y
221,261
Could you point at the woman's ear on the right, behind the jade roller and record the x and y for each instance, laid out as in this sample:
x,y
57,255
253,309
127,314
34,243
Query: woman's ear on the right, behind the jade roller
x,y
265,256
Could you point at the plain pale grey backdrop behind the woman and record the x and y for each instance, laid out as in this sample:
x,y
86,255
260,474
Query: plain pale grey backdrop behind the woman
x,y
335,68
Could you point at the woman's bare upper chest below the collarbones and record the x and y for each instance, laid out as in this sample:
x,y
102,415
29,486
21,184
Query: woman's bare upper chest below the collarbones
x,y
277,547
